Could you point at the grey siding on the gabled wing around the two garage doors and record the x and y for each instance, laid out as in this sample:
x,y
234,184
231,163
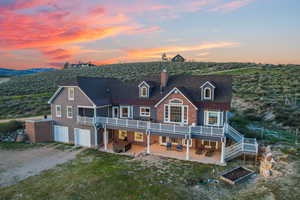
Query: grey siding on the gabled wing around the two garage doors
x,y
79,100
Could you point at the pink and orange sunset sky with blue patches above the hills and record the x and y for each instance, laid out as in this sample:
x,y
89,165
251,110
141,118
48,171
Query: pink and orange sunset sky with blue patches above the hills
x,y
47,33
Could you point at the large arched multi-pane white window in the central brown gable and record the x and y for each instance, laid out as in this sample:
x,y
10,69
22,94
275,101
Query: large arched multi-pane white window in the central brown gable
x,y
176,112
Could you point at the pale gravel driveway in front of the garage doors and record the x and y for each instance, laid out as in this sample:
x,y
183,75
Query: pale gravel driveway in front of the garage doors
x,y
18,165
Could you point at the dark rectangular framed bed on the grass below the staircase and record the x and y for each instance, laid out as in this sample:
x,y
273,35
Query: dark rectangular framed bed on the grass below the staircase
x,y
236,175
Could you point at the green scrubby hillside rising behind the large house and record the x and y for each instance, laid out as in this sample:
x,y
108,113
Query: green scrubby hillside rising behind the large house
x,y
263,92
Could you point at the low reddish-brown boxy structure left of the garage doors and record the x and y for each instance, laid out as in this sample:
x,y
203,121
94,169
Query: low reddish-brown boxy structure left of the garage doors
x,y
39,130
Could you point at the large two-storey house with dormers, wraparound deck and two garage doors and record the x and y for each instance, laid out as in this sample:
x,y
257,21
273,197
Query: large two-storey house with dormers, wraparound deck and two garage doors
x,y
180,116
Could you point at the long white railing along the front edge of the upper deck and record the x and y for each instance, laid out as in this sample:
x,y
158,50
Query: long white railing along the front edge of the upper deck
x,y
162,127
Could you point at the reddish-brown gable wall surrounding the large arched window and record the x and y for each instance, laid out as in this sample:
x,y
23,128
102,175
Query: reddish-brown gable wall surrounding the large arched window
x,y
192,112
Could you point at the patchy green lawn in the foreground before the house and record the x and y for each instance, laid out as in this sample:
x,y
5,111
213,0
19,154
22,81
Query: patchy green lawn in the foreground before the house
x,y
98,175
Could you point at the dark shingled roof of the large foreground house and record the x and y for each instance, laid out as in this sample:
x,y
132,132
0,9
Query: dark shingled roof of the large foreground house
x,y
110,91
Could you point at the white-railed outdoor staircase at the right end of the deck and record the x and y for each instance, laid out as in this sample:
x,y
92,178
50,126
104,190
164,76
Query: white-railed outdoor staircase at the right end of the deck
x,y
242,146
